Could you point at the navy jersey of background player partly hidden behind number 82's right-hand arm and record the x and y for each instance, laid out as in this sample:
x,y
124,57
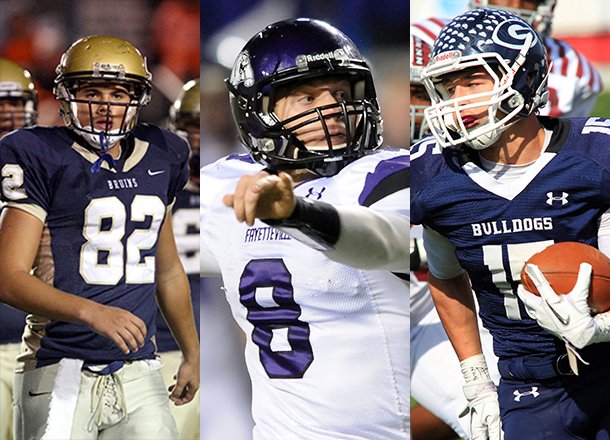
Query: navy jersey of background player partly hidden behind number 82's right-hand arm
x,y
185,221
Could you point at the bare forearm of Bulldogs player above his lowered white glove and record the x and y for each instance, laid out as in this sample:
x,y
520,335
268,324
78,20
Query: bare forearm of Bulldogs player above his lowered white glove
x,y
455,305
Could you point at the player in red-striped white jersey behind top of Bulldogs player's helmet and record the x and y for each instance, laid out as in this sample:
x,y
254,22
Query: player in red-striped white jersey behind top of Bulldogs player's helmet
x,y
573,82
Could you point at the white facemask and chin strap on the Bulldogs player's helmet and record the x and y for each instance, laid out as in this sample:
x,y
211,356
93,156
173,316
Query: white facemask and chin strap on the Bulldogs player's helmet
x,y
444,114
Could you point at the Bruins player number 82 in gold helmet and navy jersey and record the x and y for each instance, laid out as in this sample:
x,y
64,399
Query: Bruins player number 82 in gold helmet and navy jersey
x,y
103,184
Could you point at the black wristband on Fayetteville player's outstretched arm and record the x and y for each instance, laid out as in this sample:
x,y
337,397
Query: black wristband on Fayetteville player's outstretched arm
x,y
318,221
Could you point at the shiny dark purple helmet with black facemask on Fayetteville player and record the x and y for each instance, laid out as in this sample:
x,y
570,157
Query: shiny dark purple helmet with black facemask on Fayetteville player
x,y
290,53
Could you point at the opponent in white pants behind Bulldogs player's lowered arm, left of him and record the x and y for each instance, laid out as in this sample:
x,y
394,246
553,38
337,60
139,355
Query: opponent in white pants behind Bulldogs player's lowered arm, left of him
x,y
439,402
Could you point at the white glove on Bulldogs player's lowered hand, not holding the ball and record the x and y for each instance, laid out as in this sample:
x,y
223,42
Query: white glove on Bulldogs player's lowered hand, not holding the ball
x,y
483,407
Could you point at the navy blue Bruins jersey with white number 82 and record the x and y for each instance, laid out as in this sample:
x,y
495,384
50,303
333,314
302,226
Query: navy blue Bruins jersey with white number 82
x,y
104,226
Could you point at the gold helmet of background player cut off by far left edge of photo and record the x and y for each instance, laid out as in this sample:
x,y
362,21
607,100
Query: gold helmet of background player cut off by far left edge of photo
x,y
18,97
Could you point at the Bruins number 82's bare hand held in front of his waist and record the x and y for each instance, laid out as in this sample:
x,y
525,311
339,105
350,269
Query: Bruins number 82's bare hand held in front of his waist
x,y
124,328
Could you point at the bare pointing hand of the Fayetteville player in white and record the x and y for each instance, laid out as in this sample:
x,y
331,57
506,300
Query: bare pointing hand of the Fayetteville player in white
x,y
263,196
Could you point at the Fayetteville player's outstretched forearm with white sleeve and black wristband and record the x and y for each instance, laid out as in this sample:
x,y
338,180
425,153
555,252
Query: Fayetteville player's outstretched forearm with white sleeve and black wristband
x,y
356,236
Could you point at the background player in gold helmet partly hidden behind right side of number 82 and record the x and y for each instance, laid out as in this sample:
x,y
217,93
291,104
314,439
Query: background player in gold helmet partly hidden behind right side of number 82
x,y
184,120
